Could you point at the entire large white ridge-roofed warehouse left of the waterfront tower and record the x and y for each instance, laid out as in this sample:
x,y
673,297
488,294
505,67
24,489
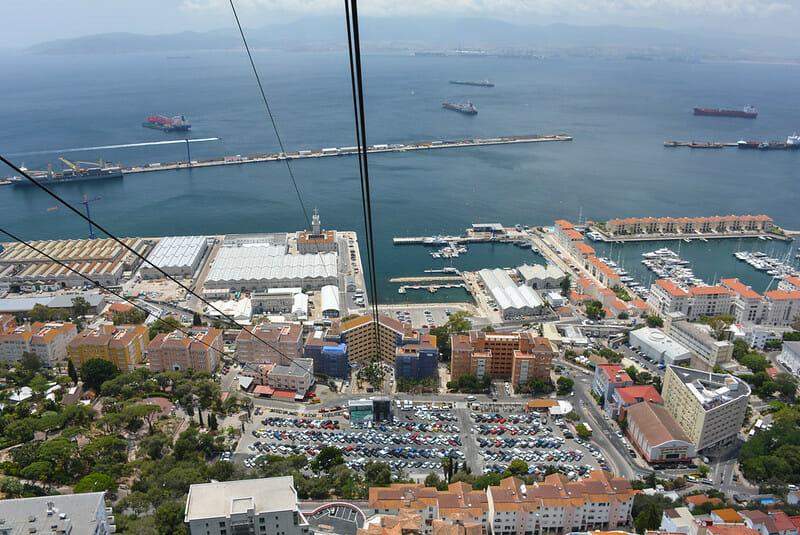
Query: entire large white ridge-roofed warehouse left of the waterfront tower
x,y
263,265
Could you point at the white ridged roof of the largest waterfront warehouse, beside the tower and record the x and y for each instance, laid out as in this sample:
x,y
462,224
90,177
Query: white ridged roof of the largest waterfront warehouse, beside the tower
x,y
265,262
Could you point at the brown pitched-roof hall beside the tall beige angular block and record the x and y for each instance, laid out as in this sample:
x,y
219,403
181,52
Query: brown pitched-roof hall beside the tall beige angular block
x,y
656,435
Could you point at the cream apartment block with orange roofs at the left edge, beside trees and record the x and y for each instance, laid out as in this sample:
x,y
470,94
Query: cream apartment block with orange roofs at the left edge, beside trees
x,y
47,340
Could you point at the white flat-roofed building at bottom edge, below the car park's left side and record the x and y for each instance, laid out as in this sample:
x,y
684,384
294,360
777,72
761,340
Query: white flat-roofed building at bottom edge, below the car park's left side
x,y
266,506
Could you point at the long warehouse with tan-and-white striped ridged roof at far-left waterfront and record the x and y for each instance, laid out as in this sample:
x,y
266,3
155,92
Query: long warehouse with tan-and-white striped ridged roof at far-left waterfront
x,y
101,260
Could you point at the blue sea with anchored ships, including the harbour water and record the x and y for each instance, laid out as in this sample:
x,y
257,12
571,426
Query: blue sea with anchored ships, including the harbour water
x,y
619,111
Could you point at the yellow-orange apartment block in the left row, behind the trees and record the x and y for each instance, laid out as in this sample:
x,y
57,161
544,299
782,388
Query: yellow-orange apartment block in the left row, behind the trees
x,y
123,345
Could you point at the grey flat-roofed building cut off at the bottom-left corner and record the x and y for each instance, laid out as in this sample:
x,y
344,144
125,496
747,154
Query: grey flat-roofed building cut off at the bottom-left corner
x,y
72,514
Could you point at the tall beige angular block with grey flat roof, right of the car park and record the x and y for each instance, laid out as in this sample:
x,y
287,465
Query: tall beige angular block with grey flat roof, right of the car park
x,y
709,407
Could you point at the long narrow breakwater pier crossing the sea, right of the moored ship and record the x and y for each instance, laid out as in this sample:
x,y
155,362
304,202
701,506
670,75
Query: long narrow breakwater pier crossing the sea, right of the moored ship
x,y
345,151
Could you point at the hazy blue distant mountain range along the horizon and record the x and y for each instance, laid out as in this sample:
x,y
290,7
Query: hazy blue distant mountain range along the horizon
x,y
430,33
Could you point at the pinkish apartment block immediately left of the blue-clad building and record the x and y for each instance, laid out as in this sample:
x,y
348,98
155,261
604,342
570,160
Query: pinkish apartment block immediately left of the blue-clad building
x,y
270,343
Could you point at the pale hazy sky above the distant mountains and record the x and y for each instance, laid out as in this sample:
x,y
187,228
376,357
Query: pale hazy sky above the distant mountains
x,y
32,21
